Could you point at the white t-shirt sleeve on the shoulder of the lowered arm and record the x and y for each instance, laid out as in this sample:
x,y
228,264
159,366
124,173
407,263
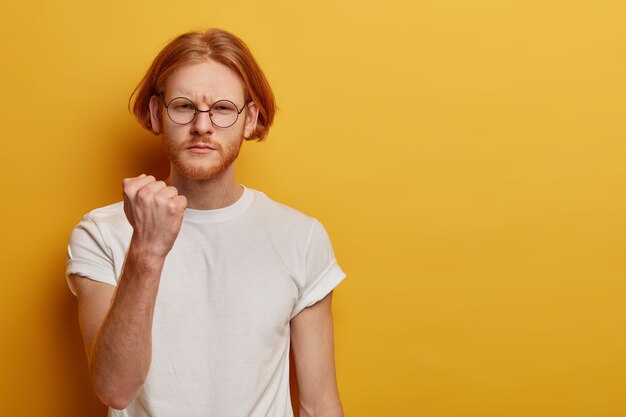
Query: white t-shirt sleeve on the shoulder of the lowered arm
x,y
321,271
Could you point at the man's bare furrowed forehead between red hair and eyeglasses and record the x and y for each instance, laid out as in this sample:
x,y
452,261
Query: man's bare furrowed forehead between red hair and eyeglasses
x,y
205,82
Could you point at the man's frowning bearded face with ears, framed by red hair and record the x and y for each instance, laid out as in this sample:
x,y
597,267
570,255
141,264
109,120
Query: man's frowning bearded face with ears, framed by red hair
x,y
200,150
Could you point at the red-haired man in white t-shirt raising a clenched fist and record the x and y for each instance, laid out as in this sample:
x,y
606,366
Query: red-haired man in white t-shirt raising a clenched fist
x,y
191,291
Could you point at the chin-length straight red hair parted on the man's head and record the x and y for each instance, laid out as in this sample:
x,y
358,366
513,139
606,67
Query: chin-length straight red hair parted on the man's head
x,y
192,47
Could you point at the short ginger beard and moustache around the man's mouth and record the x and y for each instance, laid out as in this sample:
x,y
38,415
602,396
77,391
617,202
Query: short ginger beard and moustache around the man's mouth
x,y
202,167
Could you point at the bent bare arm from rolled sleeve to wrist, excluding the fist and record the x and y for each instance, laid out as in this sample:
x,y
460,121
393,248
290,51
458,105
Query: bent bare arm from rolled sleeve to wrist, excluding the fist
x,y
116,323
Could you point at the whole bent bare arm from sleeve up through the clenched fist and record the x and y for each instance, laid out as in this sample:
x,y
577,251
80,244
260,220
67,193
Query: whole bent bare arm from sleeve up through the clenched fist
x,y
117,321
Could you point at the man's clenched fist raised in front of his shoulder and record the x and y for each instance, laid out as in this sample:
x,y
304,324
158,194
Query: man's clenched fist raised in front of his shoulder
x,y
155,211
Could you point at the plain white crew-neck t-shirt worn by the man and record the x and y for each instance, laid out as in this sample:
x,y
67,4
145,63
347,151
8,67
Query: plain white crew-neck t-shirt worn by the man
x,y
232,282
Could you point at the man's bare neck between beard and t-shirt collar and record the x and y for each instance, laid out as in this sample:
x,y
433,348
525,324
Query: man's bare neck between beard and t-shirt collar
x,y
208,194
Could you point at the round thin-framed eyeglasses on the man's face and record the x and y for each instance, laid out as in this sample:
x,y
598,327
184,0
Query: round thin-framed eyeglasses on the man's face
x,y
182,111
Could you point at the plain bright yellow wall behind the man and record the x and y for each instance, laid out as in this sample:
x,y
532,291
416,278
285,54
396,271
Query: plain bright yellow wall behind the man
x,y
466,157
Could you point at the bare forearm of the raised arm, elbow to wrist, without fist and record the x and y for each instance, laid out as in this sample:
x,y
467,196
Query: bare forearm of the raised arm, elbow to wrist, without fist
x,y
120,357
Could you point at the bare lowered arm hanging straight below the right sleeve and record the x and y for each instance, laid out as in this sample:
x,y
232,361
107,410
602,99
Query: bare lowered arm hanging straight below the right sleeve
x,y
313,350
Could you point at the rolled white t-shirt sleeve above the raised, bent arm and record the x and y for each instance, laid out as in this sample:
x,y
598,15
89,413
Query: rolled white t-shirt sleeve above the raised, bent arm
x,y
89,255
